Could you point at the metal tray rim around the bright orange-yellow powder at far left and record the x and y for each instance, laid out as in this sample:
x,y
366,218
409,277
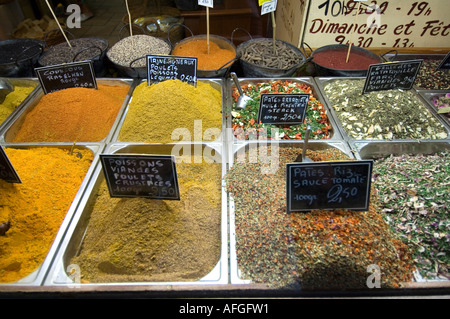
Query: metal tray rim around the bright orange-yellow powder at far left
x,y
36,278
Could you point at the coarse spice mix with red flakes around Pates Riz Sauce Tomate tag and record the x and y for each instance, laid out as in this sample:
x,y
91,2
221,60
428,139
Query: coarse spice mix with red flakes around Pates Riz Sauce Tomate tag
x,y
319,250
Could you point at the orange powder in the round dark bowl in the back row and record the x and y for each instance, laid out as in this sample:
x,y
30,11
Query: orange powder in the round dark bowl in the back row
x,y
214,60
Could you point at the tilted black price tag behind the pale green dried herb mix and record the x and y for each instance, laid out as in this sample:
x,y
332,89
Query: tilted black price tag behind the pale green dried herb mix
x,y
389,76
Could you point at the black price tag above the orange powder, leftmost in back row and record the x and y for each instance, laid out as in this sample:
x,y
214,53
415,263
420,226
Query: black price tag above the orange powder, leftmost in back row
x,y
63,76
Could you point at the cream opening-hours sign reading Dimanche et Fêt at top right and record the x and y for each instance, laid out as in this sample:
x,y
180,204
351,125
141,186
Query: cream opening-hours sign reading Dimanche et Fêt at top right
x,y
387,24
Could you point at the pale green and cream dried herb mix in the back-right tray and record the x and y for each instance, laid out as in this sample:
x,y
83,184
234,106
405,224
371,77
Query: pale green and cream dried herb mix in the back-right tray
x,y
384,115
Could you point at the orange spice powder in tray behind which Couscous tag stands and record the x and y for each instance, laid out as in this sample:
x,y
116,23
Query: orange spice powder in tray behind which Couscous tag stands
x,y
73,115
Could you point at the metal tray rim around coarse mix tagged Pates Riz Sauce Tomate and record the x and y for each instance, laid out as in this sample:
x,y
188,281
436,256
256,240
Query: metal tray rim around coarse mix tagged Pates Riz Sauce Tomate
x,y
235,273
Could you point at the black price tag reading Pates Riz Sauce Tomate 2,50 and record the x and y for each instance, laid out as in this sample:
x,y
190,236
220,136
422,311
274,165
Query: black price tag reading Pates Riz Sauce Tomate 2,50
x,y
328,185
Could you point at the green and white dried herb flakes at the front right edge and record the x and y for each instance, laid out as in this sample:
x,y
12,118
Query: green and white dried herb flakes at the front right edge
x,y
414,198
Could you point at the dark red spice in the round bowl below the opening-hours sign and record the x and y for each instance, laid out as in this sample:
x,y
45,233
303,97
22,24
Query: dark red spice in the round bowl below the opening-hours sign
x,y
336,59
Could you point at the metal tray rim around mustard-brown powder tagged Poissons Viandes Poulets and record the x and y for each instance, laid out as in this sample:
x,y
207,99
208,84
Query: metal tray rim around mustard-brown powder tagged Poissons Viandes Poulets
x,y
58,276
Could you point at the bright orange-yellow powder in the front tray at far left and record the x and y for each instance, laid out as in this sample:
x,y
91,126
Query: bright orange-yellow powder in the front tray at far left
x,y
36,207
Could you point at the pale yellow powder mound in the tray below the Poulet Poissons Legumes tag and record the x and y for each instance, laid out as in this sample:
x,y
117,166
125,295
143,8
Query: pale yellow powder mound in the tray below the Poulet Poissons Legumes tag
x,y
156,111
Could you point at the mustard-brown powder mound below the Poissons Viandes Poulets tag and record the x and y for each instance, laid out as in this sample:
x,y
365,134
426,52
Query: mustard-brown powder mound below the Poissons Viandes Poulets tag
x,y
139,239
